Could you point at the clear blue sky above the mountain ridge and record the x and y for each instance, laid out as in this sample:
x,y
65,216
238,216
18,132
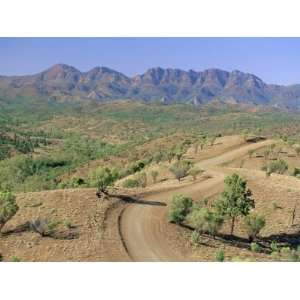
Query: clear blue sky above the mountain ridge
x,y
275,60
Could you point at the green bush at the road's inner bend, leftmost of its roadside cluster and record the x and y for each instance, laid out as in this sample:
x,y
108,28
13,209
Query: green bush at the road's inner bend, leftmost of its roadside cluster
x,y
179,208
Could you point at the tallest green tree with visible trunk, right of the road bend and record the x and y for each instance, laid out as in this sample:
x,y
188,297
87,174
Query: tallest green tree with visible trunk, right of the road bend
x,y
235,200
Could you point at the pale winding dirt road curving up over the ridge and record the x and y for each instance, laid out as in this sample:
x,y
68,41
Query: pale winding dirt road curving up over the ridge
x,y
142,225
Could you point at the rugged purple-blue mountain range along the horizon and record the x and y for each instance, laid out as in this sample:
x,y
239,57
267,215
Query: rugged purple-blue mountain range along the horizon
x,y
63,82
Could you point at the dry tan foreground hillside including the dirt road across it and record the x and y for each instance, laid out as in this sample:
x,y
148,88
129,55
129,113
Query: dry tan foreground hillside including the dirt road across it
x,y
133,226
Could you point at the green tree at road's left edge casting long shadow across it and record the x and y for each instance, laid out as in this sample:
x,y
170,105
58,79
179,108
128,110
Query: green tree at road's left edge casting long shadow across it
x,y
102,178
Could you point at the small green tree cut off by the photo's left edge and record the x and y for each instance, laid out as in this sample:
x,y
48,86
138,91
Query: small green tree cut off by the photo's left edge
x,y
8,207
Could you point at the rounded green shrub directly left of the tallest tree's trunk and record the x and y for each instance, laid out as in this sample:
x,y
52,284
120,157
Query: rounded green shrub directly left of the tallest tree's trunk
x,y
205,220
